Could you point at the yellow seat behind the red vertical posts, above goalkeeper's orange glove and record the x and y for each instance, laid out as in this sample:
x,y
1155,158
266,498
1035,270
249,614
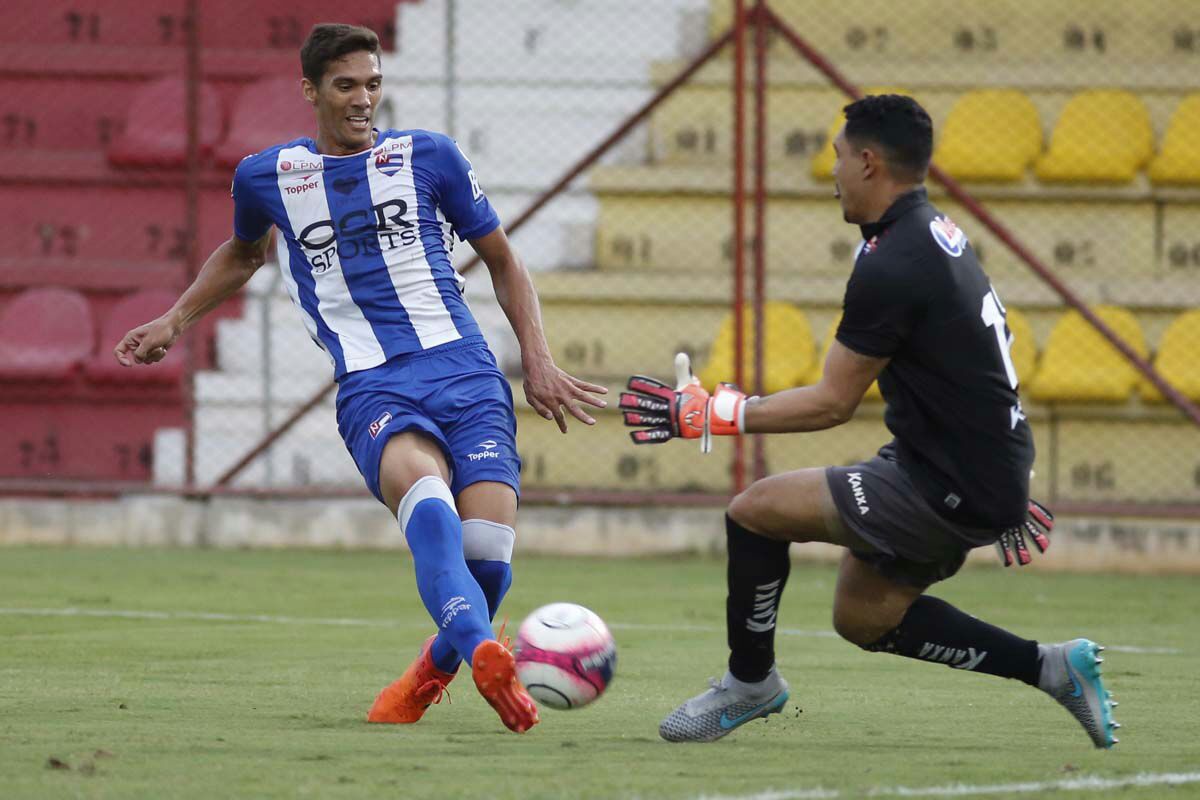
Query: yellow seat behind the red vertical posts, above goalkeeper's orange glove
x,y
788,353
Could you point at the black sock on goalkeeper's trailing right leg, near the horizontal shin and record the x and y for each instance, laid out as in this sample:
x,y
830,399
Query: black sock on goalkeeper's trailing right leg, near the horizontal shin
x,y
934,630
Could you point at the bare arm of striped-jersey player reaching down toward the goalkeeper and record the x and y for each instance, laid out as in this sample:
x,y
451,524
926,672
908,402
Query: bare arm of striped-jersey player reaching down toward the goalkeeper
x,y
549,390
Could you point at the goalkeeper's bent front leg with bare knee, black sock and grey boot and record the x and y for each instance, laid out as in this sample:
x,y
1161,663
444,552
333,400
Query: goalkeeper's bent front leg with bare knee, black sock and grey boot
x,y
760,526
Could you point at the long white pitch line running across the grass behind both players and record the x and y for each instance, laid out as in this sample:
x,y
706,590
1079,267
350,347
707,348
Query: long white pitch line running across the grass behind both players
x,y
344,622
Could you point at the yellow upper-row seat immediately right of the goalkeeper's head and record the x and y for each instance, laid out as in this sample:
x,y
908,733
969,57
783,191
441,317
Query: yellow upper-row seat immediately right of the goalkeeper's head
x,y
991,136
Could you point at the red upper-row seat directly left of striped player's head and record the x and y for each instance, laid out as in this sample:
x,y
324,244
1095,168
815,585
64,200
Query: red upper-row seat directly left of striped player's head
x,y
267,113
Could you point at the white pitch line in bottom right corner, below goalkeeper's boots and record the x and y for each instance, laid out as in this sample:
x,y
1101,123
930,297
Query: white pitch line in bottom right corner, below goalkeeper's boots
x,y
1083,784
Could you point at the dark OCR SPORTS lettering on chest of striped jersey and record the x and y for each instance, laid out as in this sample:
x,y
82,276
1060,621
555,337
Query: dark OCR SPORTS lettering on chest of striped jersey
x,y
359,232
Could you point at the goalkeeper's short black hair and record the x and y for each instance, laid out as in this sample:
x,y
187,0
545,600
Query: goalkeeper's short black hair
x,y
899,125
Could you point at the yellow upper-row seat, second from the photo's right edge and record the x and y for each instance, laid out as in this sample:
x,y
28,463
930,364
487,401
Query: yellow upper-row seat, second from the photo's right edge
x,y
1102,136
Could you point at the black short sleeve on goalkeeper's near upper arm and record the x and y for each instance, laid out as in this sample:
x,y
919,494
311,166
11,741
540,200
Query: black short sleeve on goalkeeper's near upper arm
x,y
879,310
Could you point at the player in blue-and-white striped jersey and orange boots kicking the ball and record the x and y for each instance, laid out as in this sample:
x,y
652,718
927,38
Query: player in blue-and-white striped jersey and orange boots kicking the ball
x,y
367,222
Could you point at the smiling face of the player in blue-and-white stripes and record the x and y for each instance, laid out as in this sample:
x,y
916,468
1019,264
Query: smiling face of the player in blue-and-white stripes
x,y
346,103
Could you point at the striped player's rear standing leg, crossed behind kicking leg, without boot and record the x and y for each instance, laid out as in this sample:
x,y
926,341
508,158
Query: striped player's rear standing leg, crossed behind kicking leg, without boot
x,y
489,510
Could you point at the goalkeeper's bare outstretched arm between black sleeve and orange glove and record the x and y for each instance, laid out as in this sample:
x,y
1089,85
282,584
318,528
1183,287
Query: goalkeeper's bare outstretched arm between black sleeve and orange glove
x,y
826,405
